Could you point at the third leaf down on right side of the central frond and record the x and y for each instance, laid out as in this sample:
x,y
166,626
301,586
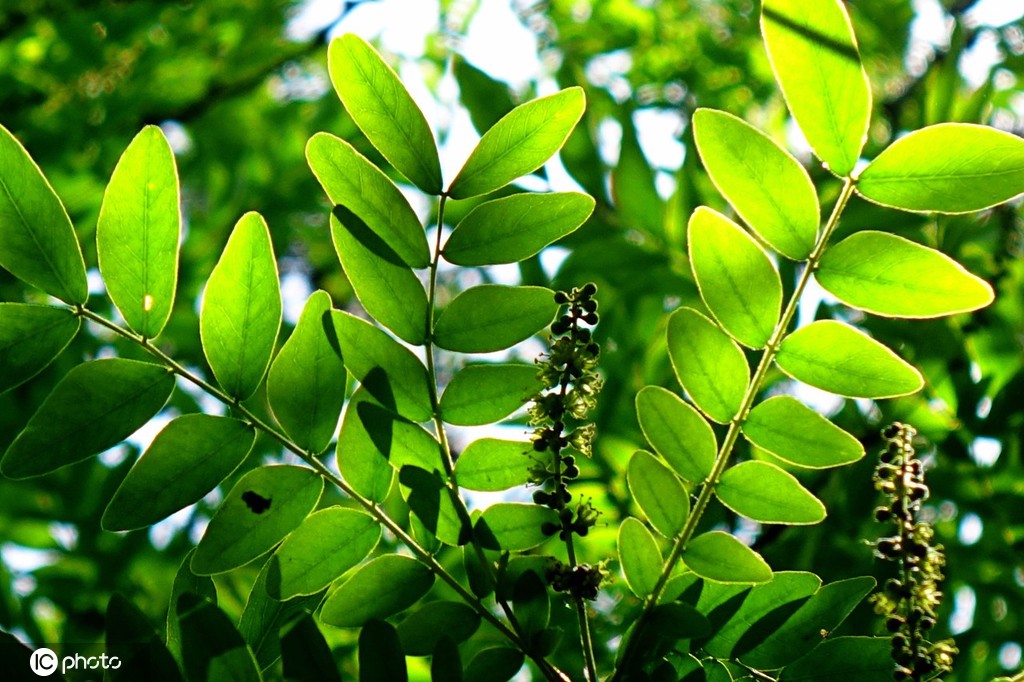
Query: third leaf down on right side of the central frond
x,y
491,318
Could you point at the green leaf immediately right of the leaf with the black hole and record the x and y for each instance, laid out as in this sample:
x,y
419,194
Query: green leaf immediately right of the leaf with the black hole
x,y
325,546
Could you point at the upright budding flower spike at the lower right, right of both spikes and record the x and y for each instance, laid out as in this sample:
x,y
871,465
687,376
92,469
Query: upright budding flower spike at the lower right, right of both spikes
x,y
910,603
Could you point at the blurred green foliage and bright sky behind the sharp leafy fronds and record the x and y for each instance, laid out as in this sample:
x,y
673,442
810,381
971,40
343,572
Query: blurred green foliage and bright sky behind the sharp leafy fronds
x,y
240,86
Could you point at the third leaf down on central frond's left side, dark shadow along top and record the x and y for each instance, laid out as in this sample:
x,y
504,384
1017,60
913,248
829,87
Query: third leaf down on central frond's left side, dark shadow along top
x,y
387,287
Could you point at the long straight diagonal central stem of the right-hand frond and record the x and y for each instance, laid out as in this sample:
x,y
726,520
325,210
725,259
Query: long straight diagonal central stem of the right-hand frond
x,y
736,427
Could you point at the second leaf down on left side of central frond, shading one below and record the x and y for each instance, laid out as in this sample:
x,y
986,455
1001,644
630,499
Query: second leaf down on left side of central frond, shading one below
x,y
353,182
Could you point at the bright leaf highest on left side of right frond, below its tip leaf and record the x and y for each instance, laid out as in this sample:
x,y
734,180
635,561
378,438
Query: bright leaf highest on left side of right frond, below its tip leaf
x,y
770,189
